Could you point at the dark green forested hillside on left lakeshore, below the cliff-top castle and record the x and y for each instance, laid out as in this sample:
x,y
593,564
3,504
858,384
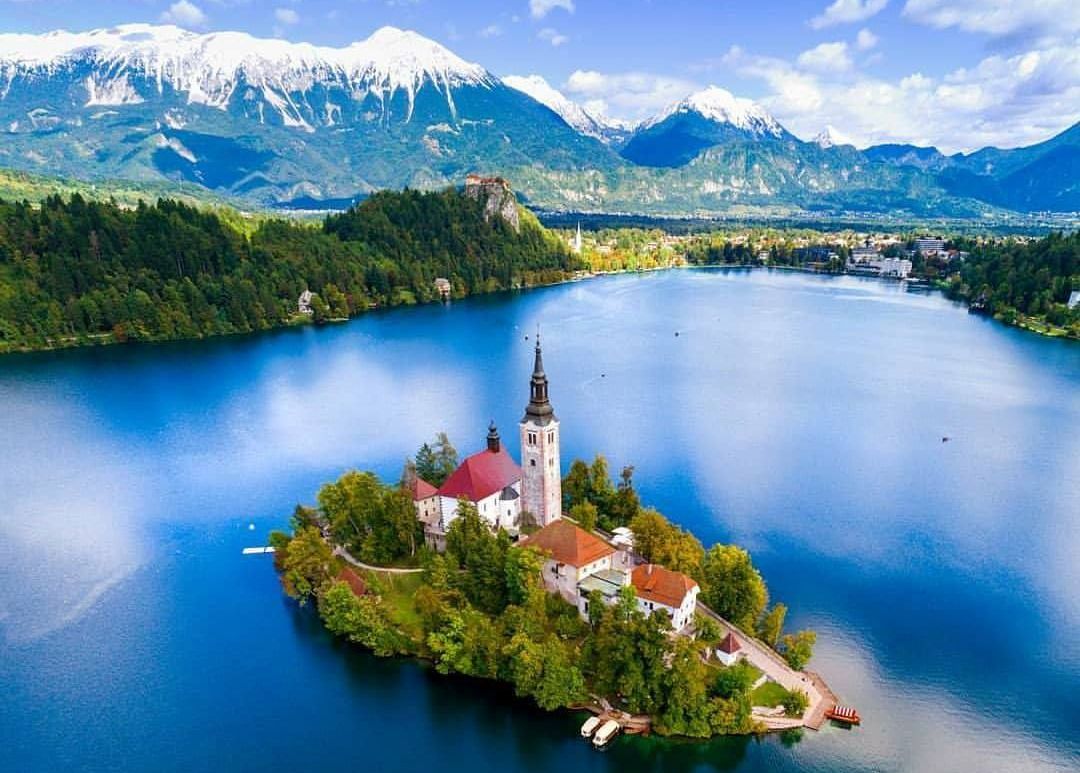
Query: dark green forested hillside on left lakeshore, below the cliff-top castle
x,y
74,272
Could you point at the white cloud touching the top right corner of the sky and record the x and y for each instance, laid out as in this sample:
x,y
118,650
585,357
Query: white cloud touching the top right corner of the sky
x,y
1054,19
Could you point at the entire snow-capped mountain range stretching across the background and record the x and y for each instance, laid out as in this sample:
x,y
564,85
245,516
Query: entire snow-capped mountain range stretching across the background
x,y
274,124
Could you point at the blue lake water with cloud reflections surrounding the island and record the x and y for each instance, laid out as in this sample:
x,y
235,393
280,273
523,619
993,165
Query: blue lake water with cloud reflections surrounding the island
x,y
800,416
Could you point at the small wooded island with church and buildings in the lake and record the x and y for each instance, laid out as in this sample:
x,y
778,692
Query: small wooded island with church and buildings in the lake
x,y
568,589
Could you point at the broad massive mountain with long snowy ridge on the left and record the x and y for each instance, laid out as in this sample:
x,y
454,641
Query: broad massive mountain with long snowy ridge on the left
x,y
268,120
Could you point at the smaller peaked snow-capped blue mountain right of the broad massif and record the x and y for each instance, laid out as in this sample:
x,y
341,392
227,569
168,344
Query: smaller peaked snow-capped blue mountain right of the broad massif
x,y
703,120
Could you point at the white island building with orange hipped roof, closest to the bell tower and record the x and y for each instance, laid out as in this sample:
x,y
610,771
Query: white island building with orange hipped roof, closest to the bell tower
x,y
573,554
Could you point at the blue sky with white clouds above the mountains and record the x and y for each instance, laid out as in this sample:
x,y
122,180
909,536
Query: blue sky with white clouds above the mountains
x,y
956,74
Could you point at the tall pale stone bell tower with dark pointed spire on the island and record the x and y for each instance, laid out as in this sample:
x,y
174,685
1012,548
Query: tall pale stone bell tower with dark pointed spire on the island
x,y
542,474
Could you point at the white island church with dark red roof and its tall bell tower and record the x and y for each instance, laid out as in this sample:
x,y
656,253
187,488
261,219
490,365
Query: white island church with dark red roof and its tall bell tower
x,y
504,493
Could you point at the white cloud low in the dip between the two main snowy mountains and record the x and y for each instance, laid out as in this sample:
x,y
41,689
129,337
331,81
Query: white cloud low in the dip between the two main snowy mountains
x,y
629,97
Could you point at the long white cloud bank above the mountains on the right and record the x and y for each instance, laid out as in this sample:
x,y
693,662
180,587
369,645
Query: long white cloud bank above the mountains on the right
x,y
1003,101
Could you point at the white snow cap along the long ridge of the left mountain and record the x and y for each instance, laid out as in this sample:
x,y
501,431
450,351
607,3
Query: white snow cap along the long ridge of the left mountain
x,y
209,67
